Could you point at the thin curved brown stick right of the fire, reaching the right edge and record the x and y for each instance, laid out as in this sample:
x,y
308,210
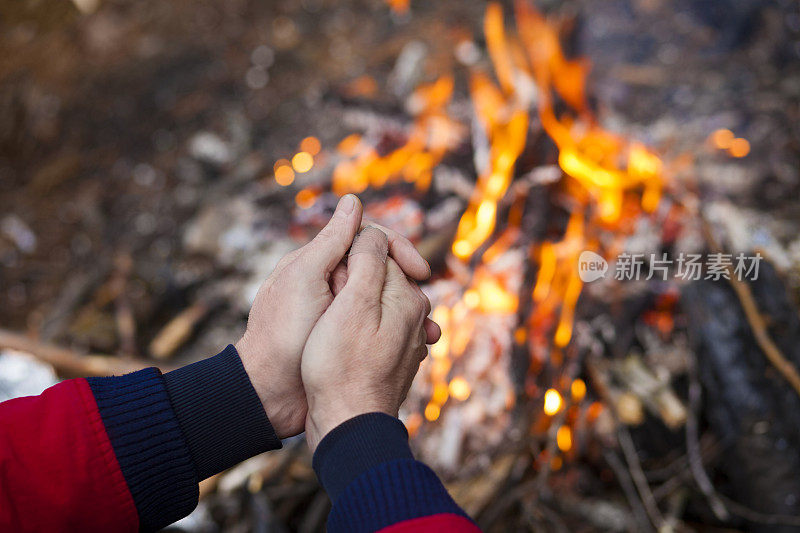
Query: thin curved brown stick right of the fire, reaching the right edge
x,y
754,318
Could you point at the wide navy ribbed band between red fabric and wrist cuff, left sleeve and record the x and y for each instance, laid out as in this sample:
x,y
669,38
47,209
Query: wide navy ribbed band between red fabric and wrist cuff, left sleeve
x,y
149,446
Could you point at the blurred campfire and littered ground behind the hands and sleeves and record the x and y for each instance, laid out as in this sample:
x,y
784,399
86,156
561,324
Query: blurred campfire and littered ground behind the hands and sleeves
x,y
158,158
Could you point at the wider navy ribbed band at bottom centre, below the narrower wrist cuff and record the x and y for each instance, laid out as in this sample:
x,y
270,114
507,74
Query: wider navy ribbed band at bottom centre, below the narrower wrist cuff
x,y
390,493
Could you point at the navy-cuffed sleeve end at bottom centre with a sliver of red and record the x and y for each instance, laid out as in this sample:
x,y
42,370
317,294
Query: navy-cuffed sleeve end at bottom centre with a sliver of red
x,y
367,468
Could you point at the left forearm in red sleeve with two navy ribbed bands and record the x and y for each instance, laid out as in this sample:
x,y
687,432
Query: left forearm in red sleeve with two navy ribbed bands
x,y
126,451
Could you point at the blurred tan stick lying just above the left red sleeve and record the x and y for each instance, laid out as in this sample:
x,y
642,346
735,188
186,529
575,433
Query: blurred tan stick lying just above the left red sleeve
x,y
67,362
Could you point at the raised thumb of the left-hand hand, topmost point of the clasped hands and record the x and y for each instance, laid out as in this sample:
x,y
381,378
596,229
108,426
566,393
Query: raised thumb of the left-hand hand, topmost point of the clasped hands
x,y
330,245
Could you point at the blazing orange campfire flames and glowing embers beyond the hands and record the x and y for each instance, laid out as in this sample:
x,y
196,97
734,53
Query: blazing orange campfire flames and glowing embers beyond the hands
x,y
501,288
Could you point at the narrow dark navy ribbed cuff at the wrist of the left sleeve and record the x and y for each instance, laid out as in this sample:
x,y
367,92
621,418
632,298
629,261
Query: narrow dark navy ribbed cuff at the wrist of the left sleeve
x,y
220,413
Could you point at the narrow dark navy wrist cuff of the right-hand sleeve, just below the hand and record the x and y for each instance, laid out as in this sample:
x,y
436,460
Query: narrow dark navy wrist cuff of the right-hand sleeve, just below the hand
x,y
356,446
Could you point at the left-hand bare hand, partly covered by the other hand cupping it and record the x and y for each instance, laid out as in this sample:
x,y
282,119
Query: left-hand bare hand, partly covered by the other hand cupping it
x,y
291,301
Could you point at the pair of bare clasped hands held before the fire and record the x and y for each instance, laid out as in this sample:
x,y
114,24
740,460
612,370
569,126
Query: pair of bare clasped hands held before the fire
x,y
339,328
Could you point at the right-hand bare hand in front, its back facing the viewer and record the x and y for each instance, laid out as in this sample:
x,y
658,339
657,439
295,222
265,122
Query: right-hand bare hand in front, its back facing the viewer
x,y
364,351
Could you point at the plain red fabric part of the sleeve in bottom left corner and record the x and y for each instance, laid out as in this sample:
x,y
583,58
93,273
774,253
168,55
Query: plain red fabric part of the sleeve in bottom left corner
x,y
58,470
